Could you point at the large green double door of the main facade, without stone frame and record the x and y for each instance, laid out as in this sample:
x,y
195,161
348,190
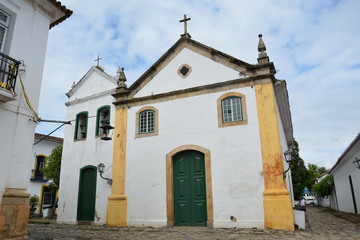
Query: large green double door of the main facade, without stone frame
x,y
189,189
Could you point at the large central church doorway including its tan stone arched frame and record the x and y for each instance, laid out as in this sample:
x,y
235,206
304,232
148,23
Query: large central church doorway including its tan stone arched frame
x,y
189,187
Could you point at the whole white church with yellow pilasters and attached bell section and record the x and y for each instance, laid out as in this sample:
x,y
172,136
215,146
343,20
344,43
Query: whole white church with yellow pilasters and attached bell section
x,y
198,140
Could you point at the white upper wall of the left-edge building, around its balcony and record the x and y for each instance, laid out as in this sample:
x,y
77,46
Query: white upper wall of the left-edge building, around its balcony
x,y
28,43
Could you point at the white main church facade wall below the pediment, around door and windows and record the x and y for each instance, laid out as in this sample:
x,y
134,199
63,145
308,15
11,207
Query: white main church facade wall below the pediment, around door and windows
x,y
236,164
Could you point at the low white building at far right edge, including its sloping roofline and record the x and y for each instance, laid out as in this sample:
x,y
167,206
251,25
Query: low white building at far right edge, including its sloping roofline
x,y
347,179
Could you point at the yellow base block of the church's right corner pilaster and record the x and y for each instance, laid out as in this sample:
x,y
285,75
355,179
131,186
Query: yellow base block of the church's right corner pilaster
x,y
278,210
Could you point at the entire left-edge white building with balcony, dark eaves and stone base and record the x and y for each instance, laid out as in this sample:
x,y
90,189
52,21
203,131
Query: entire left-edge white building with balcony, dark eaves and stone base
x,y
24,28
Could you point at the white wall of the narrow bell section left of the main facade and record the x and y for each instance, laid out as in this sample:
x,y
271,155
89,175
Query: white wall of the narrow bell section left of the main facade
x,y
91,151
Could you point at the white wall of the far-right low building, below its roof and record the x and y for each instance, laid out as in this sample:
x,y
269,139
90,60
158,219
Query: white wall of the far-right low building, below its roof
x,y
341,175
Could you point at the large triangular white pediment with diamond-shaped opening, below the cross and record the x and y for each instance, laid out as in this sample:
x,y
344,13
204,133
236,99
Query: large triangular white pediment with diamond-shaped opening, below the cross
x,y
188,64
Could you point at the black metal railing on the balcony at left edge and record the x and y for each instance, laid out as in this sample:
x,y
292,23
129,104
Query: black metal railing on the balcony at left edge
x,y
9,68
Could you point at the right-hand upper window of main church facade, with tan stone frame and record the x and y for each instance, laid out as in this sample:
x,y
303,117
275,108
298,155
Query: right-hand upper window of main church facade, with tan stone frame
x,y
231,109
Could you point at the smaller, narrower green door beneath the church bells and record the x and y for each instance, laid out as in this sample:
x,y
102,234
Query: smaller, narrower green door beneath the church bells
x,y
87,192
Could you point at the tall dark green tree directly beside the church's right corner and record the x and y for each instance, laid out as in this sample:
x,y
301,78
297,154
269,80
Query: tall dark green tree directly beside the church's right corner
x,y
299,173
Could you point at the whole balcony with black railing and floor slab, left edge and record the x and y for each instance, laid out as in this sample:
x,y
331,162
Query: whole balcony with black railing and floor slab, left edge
x,y
9,68
